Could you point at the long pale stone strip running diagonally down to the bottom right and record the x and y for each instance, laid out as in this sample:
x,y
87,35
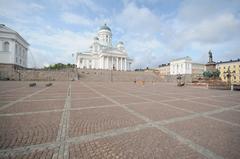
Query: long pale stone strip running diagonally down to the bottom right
x,y
198,148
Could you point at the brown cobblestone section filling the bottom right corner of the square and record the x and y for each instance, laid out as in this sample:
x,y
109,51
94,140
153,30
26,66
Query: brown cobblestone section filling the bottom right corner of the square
x,y
219,137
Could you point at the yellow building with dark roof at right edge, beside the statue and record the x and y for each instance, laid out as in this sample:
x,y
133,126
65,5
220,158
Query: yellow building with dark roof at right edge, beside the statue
x,y
233,66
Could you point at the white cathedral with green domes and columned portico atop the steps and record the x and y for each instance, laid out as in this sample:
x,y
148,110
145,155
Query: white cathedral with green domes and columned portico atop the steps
x,y
103,55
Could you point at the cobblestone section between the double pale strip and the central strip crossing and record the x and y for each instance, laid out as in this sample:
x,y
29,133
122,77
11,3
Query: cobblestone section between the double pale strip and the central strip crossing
x,y
91,121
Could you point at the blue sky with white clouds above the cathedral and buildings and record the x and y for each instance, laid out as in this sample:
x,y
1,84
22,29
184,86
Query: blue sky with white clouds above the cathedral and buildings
x,y
154,31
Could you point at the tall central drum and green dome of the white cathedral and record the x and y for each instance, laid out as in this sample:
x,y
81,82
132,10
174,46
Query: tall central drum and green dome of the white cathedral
x,y
105,36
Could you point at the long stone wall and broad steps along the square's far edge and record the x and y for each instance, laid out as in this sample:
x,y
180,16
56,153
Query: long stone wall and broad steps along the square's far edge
x,y
11,73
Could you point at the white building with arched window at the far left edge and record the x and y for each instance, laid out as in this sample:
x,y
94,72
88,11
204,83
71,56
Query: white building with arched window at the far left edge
x,y
13,48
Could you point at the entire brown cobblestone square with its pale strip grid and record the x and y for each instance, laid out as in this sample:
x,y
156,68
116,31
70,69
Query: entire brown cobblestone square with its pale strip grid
x,y
73,120
